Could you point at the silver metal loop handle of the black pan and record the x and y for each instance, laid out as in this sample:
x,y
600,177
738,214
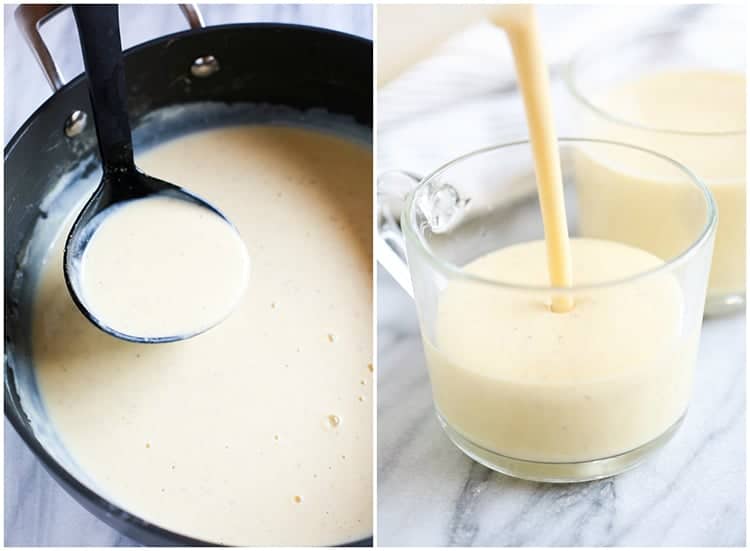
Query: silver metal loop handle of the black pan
x,y
30,17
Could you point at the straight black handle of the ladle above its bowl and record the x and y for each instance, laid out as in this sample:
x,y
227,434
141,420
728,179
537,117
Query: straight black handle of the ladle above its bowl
x,y
99,33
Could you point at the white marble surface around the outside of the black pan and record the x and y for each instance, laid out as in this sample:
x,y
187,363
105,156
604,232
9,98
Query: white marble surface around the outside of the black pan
x,y
37,511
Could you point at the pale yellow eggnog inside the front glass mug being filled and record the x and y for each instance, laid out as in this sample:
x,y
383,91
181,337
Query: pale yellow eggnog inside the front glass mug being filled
x,y
528,383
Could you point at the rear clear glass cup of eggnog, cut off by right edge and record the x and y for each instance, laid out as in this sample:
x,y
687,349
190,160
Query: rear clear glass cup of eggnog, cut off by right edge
x,y
716,153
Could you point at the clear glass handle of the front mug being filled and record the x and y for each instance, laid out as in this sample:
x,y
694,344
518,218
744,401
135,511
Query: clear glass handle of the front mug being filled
x,y
393,187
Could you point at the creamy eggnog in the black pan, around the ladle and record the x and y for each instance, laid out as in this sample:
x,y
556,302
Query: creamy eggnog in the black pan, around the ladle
x,y
258,432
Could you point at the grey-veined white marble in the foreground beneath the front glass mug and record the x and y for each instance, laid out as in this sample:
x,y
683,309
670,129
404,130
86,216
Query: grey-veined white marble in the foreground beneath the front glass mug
x,y
429,493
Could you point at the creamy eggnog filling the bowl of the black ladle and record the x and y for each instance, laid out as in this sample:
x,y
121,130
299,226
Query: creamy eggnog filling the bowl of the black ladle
x,y
163,267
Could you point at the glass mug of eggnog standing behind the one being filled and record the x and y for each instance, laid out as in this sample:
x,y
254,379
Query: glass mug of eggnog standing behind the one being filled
x,y
680,92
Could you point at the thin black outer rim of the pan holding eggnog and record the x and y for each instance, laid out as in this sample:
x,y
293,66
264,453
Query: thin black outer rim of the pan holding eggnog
x,y
12,413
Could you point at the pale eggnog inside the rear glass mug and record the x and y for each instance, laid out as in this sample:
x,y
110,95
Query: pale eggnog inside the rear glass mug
x,y
704,115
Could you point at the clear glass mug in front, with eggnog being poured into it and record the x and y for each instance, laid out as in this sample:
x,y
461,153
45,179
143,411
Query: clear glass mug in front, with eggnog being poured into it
x,y
619,387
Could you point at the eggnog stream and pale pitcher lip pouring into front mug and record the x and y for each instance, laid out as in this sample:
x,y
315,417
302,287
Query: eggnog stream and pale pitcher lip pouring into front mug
x,y
520,24
